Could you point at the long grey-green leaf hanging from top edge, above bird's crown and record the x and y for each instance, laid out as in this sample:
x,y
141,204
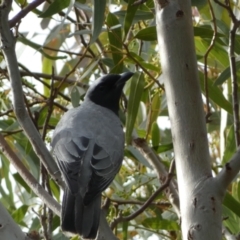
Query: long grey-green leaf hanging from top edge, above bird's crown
x,y
98,18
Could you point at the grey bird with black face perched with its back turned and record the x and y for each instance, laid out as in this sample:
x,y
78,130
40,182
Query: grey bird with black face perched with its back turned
x,y
88,145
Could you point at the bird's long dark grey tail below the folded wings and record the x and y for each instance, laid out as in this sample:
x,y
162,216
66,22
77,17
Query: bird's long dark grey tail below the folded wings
x,y
80,218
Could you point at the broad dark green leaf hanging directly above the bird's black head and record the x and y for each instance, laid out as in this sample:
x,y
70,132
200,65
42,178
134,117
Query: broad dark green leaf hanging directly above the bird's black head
x,y
115,40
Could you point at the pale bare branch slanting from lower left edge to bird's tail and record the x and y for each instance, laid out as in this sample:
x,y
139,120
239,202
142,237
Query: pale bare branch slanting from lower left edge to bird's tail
x,y
28,177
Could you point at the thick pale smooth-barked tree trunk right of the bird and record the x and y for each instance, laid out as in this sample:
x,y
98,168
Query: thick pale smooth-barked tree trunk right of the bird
x,y
200,194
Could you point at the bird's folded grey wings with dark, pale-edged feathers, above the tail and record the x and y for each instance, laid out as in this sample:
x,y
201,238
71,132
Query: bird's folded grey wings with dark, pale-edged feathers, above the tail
x,y
86,165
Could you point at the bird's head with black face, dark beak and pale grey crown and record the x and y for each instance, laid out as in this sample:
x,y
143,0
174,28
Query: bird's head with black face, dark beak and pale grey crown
x,y
106,91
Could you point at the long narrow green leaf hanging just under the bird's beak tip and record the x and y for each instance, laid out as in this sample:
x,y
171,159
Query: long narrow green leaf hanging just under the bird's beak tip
x,y
136,90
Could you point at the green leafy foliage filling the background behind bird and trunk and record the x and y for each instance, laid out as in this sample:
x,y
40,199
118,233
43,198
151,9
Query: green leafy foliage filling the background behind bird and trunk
x,y
81,44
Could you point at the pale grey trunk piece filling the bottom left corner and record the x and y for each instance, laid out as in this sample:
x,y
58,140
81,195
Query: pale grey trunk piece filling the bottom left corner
x,y
9,230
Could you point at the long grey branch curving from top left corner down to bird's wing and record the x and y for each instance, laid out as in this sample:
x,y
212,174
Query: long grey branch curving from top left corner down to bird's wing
x,y
8,48
